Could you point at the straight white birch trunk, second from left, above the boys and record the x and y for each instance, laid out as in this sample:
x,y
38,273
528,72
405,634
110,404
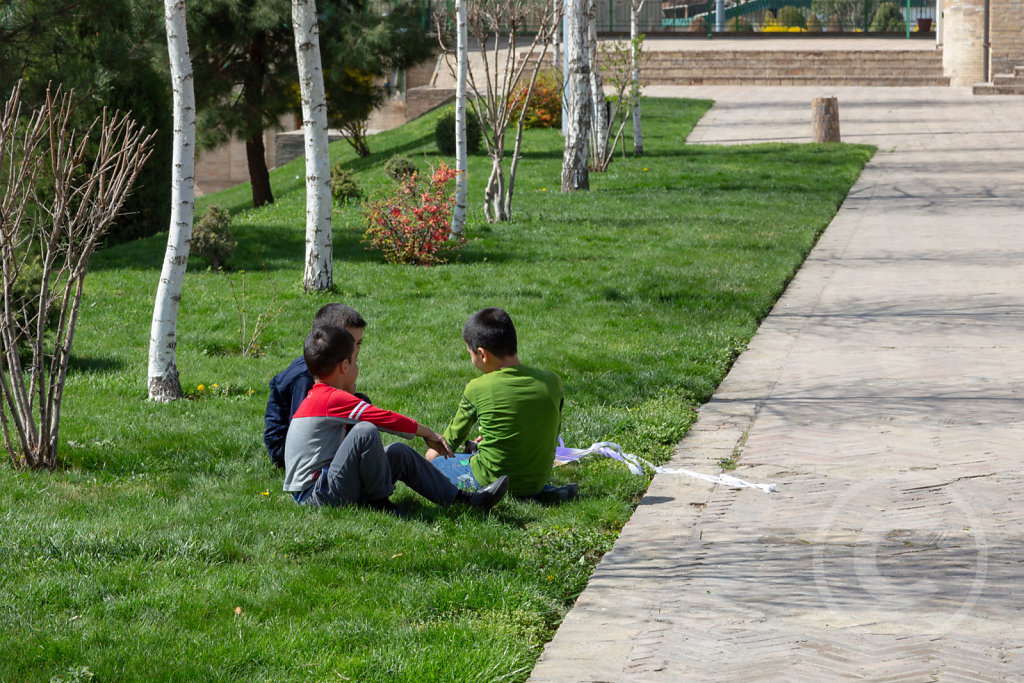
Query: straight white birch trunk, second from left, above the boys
x,y
320,259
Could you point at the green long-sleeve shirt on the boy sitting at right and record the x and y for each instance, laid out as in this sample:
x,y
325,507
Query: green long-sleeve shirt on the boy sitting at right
x,y
520,413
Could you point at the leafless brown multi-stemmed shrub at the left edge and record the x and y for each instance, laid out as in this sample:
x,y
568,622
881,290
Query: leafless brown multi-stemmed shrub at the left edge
x,y
60,224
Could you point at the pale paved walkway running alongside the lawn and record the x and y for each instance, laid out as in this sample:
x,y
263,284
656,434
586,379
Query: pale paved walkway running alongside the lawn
x,y
885,398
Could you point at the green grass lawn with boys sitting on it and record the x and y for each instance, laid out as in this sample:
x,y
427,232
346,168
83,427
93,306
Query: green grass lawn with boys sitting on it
x,y
164,548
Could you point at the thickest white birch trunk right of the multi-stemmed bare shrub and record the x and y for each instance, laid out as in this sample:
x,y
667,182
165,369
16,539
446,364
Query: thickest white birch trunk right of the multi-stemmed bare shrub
x,y
579,106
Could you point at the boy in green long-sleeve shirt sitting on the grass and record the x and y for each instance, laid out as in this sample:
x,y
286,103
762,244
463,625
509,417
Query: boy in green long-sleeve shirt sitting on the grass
x,y
519,410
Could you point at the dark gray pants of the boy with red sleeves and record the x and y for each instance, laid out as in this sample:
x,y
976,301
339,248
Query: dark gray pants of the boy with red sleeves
x,y
363,471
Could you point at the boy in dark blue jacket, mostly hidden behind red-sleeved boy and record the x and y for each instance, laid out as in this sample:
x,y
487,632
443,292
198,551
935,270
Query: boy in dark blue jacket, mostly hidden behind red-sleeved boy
x,y
290,387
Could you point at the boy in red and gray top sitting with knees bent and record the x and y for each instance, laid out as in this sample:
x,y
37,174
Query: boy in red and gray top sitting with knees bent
x,y
333,452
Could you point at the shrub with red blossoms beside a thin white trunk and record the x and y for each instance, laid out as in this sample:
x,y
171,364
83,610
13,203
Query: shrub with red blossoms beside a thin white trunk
x,y
411,226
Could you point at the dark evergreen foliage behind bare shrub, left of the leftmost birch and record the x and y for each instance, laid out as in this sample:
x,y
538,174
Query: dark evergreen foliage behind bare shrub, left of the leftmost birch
x,y
112,54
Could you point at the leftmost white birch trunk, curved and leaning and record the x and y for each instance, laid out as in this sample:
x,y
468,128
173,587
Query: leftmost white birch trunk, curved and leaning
x,y
164,385
